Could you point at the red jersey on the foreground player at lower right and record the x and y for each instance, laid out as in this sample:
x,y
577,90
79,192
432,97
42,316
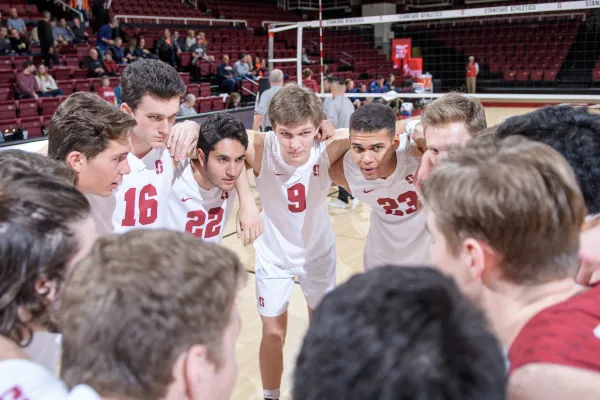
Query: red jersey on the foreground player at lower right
x,y
567,333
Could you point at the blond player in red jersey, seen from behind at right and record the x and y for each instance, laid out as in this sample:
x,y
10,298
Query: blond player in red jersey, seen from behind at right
x,y
507,229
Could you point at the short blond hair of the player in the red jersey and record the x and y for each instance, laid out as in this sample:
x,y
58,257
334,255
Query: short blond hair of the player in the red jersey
x,y
518,196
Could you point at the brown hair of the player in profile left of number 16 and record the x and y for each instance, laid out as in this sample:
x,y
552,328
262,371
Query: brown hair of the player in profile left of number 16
x,y
86,123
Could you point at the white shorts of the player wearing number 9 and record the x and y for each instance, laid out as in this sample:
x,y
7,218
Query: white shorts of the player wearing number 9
x,y
274,283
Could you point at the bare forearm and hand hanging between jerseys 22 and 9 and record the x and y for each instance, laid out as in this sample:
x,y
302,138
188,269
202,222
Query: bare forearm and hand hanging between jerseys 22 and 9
x,y
248,221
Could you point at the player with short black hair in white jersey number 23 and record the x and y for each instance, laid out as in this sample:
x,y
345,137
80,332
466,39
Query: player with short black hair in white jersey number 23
x,y
379,170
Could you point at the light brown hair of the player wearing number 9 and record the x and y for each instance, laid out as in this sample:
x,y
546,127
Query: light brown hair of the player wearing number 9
x,y
294,105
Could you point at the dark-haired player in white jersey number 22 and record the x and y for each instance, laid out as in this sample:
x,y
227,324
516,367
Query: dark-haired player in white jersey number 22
x,y
203,193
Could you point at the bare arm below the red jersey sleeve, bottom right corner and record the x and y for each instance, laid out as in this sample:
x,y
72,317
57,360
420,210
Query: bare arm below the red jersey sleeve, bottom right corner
x,y
553,382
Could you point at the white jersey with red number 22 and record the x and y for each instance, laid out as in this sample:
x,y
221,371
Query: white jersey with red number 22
x,y
196,210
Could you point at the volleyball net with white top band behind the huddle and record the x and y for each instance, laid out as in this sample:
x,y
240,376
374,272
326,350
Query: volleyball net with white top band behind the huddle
x,y
531,53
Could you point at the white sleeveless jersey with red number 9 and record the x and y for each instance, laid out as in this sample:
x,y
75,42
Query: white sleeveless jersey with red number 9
x,y
296,223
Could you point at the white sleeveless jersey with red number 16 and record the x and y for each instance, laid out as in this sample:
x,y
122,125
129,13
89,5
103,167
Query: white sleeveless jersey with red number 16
x,y
141,200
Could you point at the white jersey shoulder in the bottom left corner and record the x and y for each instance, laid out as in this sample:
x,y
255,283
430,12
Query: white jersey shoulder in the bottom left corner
x,y
26,380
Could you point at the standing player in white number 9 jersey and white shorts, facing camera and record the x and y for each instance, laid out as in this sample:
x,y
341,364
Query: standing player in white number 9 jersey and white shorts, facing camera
x,y
292,177
